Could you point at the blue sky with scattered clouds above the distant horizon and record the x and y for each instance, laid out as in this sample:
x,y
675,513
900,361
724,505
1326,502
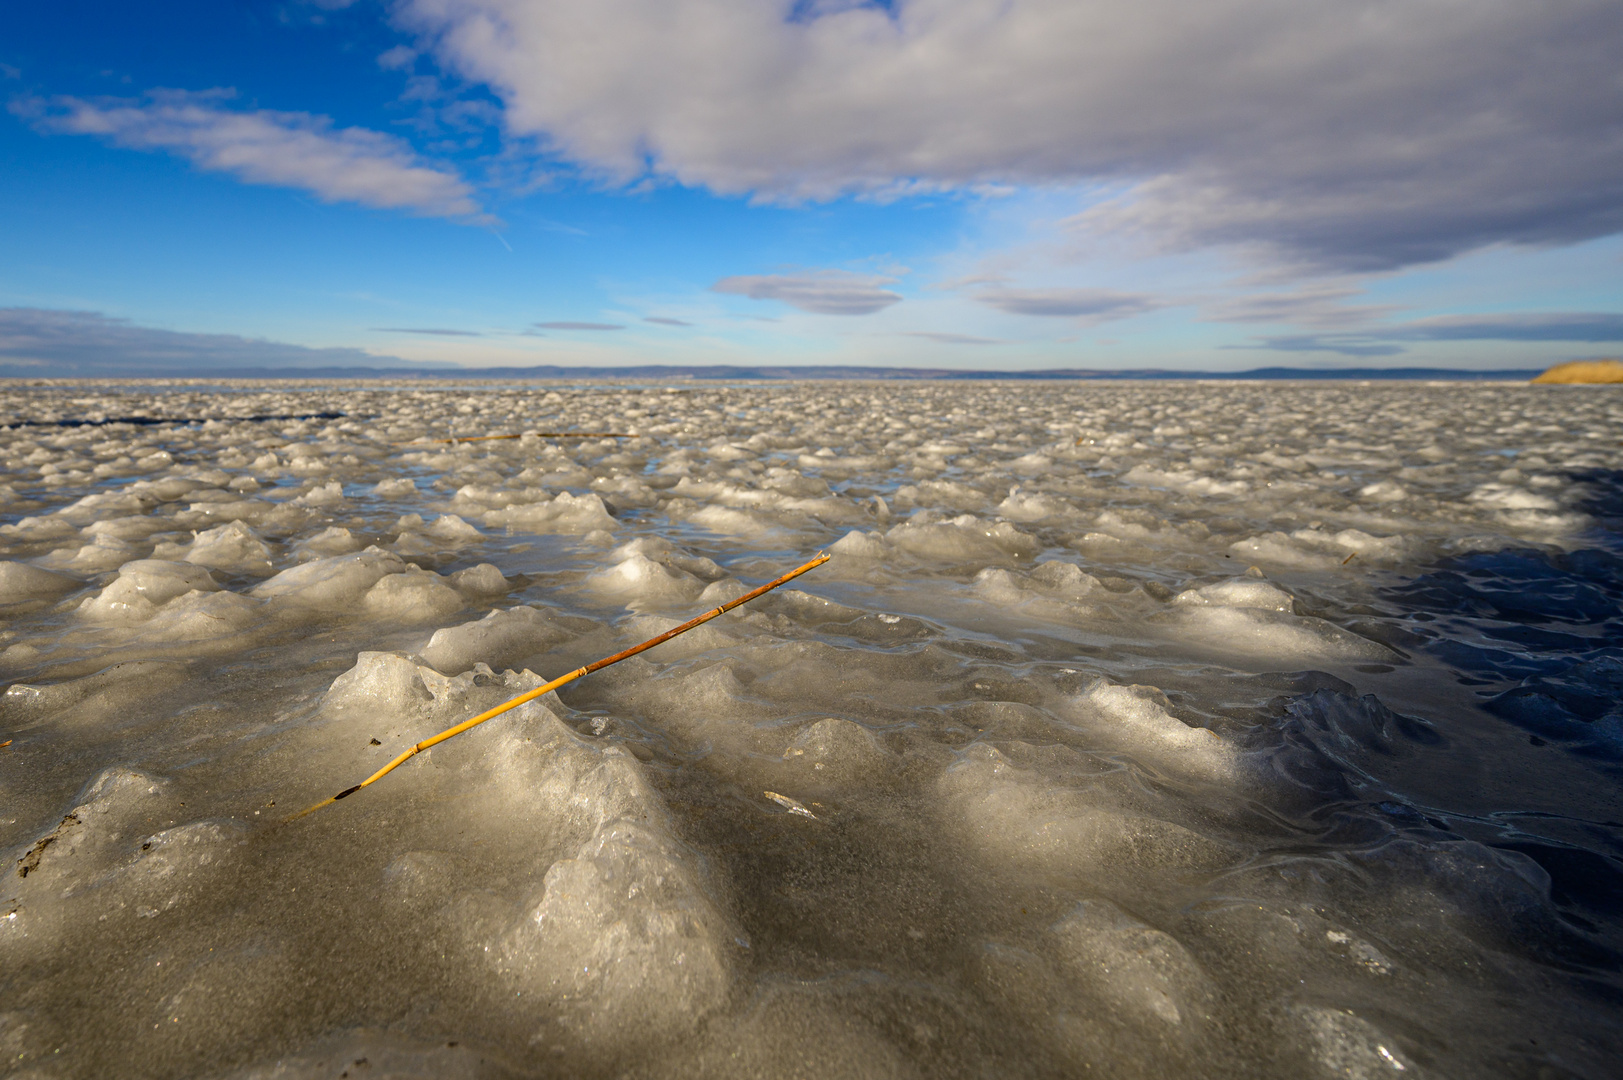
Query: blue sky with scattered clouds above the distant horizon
x,y
978,184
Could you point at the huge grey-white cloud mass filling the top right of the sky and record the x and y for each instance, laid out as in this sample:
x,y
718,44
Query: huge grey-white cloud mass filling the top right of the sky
x,y
1361,134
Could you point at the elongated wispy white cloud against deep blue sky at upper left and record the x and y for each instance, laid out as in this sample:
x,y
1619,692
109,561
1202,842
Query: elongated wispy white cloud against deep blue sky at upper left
x,y
293,150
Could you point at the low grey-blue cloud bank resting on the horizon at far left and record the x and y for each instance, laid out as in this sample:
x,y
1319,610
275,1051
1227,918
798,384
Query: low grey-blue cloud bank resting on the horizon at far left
x,y
59,343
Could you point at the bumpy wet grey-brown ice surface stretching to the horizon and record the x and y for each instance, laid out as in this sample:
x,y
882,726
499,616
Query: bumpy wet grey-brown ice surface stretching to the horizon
x,y
1134,730
